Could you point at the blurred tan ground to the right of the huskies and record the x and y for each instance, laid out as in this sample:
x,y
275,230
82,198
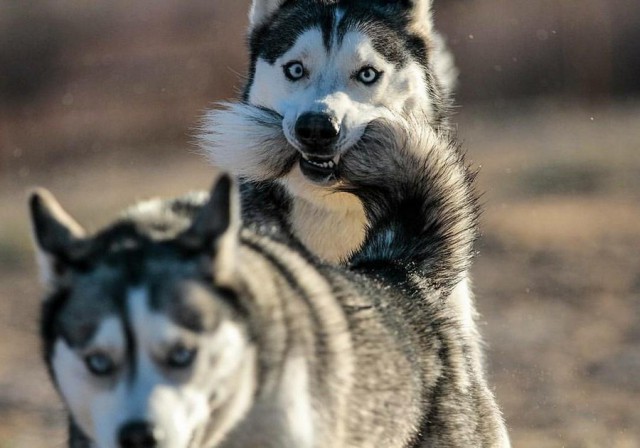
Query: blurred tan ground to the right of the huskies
x,y
558,276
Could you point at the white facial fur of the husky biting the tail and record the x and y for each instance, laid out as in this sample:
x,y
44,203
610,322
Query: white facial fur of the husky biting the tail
x,y
331,88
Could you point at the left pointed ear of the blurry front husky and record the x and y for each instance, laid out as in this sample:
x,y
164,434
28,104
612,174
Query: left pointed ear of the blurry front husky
x,y
57,236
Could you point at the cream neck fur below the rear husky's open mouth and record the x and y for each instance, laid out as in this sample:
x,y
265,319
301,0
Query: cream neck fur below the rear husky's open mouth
x,y
331,225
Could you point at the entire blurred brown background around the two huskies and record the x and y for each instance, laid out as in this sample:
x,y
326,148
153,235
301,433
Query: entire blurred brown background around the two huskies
x,y
99,101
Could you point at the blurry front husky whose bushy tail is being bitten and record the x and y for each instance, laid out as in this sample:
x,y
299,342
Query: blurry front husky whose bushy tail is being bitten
x,y
177,326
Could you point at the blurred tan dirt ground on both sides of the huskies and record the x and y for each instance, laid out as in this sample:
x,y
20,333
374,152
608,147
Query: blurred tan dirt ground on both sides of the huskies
x,y
557,278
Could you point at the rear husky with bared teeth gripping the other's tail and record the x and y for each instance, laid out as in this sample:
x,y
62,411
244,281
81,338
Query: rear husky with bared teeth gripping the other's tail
x,y
321,72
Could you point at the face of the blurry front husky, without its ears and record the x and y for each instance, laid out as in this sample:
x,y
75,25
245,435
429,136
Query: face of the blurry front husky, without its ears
x,y
160,374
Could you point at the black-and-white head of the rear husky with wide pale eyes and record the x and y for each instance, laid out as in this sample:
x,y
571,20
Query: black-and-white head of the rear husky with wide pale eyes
x,y
331,68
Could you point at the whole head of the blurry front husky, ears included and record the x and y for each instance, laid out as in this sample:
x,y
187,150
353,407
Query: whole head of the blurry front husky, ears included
x,y
142,335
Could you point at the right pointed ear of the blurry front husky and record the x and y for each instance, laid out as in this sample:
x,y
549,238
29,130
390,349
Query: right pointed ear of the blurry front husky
x,y
216,227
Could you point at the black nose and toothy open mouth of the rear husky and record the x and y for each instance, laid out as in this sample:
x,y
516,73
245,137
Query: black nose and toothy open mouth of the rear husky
x,y
318,133
